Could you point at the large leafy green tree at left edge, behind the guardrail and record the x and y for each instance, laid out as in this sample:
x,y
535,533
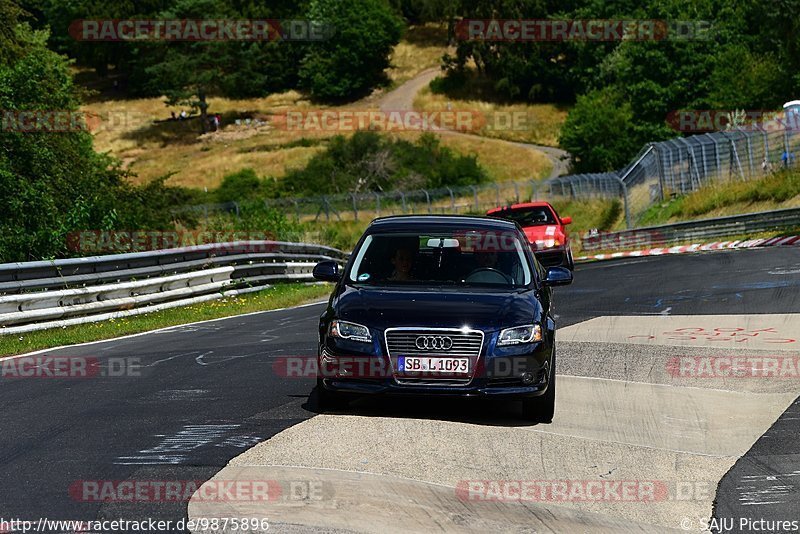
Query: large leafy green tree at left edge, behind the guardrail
x,y
50,182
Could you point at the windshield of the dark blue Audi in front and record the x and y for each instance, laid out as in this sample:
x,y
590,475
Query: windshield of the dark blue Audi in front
x,y
476,258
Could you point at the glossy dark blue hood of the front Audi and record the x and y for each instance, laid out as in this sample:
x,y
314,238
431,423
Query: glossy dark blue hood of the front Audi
x,y
436,307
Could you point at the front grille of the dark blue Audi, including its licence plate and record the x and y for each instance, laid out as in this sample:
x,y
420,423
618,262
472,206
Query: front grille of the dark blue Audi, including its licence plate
x,y
437,343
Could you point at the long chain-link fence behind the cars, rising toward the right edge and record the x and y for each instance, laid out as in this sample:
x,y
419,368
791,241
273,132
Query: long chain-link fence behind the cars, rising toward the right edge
x,y
660,171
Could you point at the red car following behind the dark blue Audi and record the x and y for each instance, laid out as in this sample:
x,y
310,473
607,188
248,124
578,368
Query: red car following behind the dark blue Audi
x,y
545,230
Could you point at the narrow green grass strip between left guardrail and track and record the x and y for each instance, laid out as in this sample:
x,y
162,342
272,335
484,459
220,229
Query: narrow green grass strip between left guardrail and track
x,y
278,296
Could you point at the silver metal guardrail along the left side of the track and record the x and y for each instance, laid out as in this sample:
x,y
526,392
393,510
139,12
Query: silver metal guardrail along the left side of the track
x,y
46,294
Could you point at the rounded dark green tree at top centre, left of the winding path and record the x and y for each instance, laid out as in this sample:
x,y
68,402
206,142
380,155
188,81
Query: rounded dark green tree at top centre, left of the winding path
x,y
349,64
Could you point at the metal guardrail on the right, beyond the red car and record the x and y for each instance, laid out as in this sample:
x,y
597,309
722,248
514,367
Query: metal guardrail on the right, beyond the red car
x,y
691,231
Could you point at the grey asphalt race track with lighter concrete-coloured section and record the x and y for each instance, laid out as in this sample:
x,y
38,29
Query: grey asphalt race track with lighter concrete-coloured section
x,y
207,393
